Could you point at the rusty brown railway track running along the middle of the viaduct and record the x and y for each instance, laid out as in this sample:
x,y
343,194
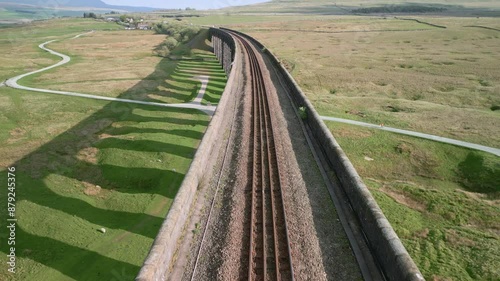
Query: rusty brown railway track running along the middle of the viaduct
x,y
269,253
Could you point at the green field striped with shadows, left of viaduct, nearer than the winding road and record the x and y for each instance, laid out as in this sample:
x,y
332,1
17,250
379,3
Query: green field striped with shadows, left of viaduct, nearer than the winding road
x,y
110,165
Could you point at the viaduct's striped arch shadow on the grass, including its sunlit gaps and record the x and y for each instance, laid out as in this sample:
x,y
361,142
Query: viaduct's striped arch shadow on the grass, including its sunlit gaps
x,y
119,168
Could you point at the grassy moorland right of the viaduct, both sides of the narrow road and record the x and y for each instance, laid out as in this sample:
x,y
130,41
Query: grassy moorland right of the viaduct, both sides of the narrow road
x,y
443,201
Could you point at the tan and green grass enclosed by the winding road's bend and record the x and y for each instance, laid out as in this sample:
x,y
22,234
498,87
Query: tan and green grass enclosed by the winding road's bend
x,y
105,73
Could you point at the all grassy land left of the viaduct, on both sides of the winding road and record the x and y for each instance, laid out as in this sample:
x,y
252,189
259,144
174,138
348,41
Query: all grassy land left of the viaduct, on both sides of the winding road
x,y
82,165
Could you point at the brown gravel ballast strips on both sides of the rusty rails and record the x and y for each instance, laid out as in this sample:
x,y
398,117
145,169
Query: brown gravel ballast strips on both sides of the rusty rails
x,y
320,248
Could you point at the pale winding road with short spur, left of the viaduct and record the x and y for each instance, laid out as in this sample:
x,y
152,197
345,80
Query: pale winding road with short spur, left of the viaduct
x,y
13,83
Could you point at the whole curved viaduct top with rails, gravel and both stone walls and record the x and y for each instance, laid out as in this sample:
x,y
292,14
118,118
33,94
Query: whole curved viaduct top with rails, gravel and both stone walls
x,y
249,233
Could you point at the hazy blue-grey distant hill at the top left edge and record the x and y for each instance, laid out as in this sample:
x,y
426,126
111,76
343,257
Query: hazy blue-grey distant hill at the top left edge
x,y
76,3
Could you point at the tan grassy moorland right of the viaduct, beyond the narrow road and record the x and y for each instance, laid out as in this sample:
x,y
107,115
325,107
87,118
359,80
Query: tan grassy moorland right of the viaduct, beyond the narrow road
x,y
396,72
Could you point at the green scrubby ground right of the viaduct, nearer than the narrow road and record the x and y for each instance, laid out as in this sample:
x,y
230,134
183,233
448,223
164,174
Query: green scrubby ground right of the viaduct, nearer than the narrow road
x,y
442,200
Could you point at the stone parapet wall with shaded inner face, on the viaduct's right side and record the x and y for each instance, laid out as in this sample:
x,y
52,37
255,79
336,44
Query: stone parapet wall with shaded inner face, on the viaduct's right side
x,y
386,246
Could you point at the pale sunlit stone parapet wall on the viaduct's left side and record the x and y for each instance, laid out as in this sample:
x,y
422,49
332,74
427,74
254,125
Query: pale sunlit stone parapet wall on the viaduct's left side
x,y
160,257
